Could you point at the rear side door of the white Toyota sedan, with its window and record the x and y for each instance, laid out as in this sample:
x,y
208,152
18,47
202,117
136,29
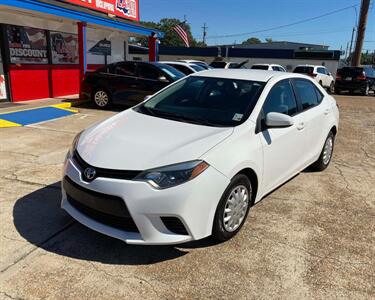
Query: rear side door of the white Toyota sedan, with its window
x,y
316,114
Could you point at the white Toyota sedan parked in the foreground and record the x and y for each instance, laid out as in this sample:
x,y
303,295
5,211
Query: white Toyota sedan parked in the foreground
x,y
190,161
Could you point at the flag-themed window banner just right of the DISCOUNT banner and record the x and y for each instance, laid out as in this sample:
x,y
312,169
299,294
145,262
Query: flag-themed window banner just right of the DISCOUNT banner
x,y
64,48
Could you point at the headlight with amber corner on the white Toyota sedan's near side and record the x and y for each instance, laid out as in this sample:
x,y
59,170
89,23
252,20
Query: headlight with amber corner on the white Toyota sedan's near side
x,y
169,176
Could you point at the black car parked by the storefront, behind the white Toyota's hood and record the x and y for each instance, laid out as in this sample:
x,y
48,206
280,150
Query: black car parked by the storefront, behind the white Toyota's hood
x,y
127,82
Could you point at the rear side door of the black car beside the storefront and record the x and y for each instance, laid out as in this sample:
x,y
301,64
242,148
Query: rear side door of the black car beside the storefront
x,y
124,83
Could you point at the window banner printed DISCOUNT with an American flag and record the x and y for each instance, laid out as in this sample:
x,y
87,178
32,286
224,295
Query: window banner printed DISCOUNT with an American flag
x,y
27,45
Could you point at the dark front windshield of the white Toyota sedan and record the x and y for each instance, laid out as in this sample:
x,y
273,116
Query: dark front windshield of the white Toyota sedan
x,y
210,101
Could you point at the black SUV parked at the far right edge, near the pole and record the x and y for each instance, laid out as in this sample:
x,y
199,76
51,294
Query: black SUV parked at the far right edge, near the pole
x,y
354,79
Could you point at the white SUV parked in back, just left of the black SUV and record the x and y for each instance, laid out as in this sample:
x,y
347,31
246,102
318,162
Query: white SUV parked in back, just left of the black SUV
x,y
320,74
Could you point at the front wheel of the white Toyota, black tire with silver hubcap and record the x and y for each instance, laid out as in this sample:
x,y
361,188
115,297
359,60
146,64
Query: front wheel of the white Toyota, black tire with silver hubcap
x,y
224,230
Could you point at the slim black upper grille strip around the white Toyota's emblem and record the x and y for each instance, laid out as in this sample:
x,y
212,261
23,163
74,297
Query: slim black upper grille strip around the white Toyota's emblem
x,y
102,172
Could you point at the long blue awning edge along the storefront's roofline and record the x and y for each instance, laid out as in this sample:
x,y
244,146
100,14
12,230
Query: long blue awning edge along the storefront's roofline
x,y
63,10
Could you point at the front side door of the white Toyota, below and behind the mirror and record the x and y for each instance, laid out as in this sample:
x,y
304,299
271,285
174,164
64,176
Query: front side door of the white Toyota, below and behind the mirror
x,y
283,148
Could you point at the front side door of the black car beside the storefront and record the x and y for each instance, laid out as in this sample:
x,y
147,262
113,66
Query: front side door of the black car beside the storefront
x,y
150,80
